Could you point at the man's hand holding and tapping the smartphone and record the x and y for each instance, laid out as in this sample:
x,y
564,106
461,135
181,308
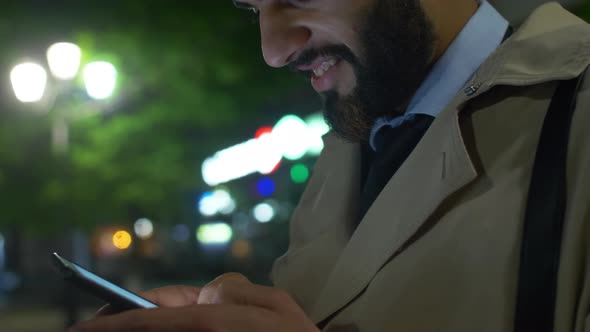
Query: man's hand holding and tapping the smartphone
x,y
230,303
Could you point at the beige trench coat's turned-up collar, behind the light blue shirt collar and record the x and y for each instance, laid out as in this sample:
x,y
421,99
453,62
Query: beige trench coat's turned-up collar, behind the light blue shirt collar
x,y
552,44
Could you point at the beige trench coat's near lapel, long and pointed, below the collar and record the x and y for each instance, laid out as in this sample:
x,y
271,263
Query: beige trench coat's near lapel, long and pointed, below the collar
x,y
391,221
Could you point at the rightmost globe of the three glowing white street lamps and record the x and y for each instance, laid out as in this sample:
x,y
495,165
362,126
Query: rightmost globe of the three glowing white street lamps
x,y
100,78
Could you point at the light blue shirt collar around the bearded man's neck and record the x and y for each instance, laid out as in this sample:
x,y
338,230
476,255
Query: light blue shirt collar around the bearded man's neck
x,y
480,37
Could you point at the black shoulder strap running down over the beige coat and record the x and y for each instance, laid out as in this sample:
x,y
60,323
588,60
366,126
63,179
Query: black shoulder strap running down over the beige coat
x,y
544,216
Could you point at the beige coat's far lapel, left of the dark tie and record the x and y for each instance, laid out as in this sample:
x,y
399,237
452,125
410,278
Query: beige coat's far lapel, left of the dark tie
x,y
322,224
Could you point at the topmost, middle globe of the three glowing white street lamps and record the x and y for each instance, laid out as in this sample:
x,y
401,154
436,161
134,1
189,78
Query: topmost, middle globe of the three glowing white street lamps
x,y
64,60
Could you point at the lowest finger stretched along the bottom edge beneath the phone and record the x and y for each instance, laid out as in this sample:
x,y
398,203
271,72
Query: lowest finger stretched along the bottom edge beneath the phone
x,y
192,318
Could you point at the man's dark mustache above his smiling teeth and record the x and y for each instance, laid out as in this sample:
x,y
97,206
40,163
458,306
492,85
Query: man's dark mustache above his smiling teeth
x,y
307,57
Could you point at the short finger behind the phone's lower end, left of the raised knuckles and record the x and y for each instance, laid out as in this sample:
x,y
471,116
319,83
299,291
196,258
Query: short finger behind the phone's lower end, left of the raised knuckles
x,y
172,296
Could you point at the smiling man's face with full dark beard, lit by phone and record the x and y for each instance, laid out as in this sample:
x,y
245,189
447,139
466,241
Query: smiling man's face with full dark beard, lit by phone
x,y
365,57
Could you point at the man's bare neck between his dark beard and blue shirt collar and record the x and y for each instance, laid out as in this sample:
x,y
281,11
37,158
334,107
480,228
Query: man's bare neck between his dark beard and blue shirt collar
x,y
448,19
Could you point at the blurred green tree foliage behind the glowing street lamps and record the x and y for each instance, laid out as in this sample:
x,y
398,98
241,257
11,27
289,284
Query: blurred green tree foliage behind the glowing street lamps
x,y
192,80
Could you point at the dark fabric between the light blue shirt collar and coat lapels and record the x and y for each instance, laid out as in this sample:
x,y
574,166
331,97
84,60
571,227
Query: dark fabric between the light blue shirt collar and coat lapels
x,y
393,146
